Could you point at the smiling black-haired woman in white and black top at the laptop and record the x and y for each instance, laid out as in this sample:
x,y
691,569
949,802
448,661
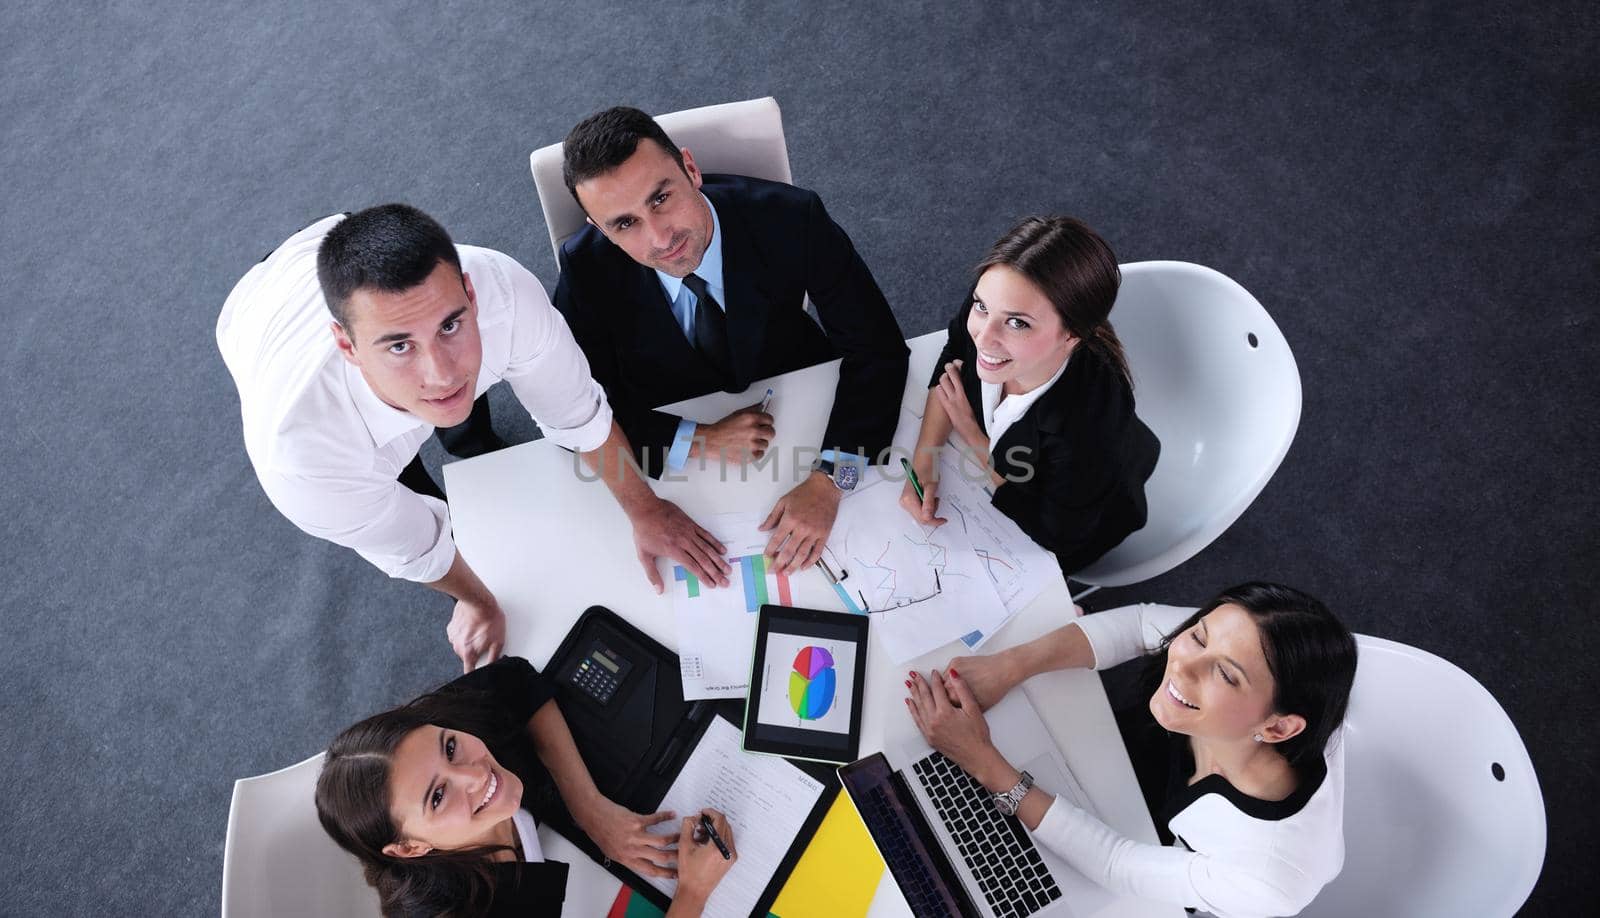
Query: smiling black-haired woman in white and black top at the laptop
x,y
1247,780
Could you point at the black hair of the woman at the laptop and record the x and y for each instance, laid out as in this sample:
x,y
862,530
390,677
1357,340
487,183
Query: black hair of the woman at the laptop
x,y
1310,653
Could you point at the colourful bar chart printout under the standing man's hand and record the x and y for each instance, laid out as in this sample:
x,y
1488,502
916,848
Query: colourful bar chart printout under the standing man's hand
x,y
718,625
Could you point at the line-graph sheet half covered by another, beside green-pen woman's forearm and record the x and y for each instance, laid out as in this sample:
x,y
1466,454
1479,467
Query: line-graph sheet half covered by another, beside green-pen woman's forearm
x,y
1018,567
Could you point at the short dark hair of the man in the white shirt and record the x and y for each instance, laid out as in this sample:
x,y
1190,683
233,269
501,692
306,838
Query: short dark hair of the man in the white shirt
x,y
388,247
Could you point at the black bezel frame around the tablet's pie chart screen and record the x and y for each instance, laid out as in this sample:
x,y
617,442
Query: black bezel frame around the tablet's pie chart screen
x,y
762,738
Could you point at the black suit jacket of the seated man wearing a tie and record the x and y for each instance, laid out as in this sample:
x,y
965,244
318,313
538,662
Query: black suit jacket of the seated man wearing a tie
x,y
778,245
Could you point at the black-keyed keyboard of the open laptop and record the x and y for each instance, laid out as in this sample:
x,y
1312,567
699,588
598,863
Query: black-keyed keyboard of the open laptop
x,y
1010,872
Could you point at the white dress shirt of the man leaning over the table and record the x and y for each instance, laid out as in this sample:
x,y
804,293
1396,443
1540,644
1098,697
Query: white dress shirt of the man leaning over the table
x,y
329,452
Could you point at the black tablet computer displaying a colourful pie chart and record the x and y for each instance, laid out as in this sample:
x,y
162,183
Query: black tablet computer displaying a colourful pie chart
x,y
807,682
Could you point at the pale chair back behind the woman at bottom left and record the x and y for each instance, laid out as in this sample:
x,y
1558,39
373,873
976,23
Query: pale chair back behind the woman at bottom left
x,y
279,863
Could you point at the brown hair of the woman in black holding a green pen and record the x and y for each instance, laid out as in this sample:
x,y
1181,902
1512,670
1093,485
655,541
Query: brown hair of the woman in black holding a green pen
x,y
1076,271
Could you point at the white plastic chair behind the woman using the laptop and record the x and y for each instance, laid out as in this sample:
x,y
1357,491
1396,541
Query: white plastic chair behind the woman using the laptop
x,y
1442,810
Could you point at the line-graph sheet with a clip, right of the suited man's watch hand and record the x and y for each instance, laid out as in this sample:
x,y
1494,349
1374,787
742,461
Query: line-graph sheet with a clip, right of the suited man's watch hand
x,y
924,586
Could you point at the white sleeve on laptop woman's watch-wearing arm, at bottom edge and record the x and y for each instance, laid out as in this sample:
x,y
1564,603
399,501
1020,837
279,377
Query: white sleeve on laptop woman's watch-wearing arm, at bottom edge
x,y
1244,885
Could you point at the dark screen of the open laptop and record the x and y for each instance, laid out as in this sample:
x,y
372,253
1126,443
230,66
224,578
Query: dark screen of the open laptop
x,y
905,839
